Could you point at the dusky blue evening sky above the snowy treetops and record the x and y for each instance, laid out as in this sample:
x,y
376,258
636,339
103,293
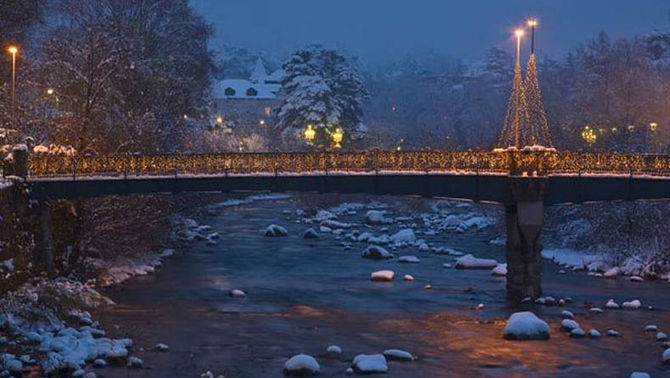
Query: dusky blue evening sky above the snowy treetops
x,y
382,30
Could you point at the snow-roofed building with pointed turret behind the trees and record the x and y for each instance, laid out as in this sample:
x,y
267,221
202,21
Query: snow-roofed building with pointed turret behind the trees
x,y
245,102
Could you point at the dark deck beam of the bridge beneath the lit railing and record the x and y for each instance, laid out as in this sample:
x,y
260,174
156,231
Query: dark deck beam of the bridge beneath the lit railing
x,y
483,187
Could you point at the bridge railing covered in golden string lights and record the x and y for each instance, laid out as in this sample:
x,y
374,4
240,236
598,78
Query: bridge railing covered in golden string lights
x,y
530,163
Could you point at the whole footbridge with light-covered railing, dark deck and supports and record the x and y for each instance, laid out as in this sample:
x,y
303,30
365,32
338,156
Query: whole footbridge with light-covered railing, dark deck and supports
x,y
524,181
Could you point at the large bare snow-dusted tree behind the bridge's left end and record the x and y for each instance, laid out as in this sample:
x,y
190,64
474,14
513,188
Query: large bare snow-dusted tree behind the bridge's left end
x,y
128,73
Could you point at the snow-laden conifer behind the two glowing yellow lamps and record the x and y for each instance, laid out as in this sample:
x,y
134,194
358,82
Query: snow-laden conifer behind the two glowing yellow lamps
x,y
324,89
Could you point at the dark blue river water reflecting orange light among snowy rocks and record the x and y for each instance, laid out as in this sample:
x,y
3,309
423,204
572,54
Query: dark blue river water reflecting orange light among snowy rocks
x,y
304,295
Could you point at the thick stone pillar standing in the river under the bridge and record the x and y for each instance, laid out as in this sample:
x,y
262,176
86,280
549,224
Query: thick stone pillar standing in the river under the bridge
x,y
524,218
